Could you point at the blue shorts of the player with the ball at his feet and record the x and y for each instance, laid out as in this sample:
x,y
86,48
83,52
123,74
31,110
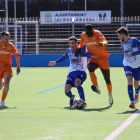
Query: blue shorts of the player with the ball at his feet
x,y
74,75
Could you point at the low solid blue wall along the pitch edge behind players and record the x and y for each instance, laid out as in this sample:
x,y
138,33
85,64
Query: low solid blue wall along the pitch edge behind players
x,y
42,60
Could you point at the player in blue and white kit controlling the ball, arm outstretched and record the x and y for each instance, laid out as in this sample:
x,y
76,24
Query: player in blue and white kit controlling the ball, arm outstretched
x,y
77,68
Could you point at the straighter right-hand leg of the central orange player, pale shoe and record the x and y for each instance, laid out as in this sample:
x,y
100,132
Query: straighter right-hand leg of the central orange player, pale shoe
x,y
106,75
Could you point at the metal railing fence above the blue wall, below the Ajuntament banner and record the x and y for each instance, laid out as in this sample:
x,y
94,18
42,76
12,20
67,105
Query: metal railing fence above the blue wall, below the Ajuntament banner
x,y
53,38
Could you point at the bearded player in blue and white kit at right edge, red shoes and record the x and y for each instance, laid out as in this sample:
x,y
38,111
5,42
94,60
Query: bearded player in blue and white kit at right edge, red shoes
x,y
131,62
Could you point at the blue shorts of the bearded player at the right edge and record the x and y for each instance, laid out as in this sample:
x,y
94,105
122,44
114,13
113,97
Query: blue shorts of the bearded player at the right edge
x,y
135,72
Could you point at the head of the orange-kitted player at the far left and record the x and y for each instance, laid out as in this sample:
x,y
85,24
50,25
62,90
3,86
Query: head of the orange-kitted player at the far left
x,y
5,36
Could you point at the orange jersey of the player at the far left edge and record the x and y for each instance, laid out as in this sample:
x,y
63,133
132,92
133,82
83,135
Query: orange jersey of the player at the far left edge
x,y
5,54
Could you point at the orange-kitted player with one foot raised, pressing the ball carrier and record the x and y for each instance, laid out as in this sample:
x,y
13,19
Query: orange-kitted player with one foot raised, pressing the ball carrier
x,y
95,44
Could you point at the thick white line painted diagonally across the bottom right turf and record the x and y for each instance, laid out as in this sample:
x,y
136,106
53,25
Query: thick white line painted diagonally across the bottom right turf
x,y
123,126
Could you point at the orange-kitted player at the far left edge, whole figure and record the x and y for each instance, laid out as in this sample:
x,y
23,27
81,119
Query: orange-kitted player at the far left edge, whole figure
x,y
6,48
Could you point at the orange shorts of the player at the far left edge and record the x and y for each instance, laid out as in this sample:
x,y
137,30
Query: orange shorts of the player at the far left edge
x,y
4,71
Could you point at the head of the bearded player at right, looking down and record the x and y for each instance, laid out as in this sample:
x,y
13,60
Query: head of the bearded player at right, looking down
x,y
122,33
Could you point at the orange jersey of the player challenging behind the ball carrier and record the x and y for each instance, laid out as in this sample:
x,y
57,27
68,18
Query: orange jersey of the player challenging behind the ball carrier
x,y
91,44
